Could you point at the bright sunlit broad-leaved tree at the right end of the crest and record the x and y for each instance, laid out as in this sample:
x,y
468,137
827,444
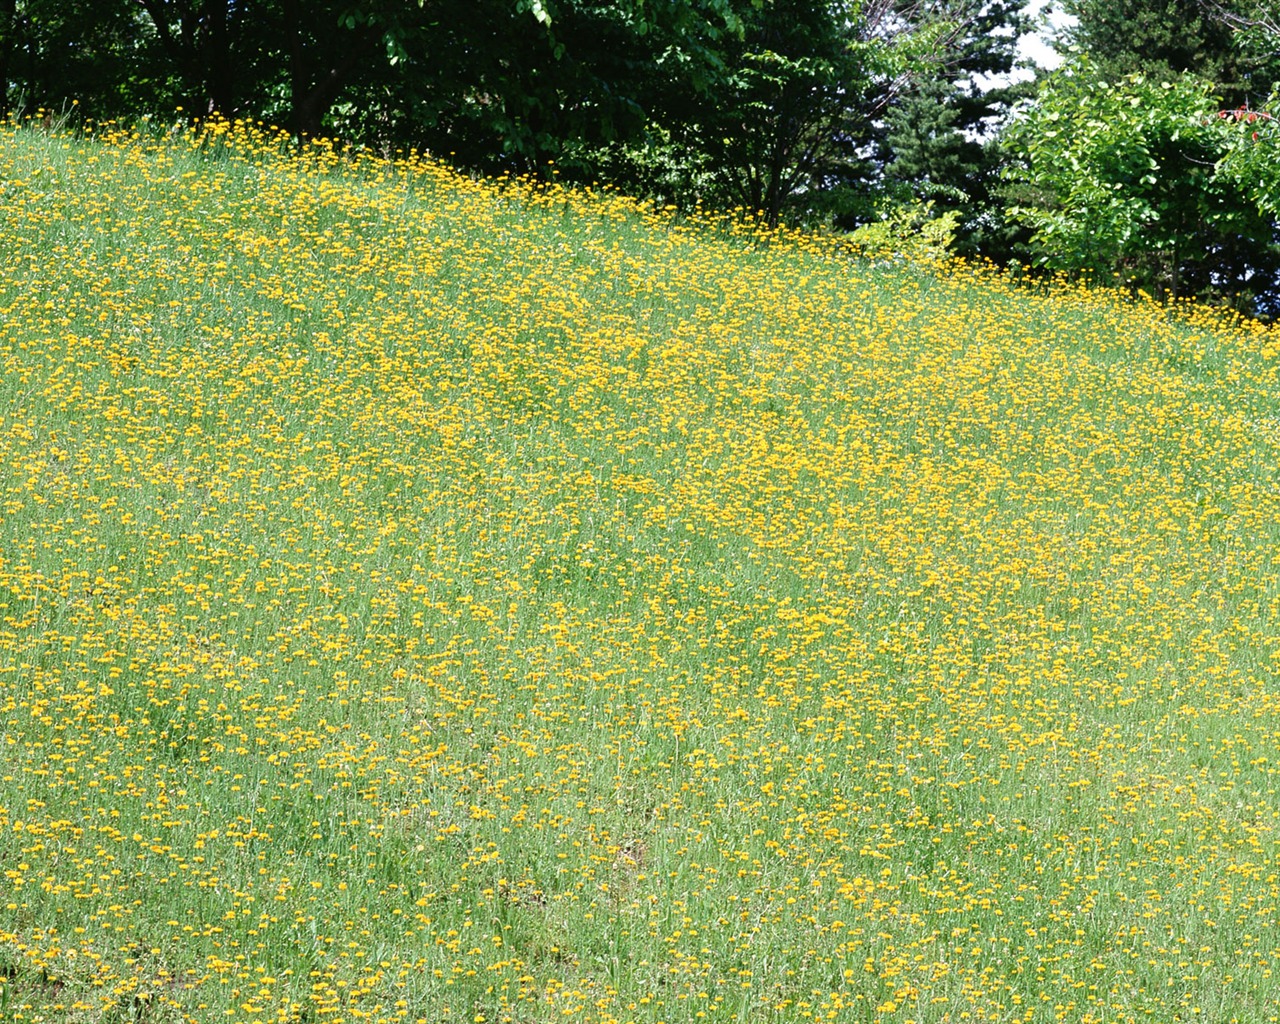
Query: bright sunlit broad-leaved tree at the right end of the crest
x,y
1121,180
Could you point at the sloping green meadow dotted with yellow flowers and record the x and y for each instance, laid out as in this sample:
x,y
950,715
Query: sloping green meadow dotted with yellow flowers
x,y
426,600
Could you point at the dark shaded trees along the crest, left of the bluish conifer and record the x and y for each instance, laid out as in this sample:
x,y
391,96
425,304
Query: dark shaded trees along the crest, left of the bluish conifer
x,y
770,106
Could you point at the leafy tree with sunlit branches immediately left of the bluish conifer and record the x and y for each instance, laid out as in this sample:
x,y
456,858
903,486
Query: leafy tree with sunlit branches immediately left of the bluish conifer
x,y
781,121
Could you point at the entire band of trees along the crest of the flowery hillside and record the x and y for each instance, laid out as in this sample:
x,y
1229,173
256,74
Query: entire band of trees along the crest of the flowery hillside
x,y
1128,164
